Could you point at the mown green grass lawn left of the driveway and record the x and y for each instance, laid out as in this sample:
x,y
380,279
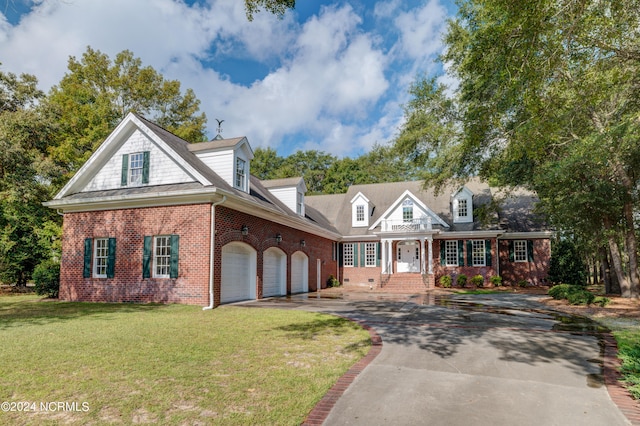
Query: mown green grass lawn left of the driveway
x,y
169,364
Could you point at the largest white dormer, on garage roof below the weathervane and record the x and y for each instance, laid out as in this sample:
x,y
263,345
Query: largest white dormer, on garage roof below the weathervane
x,y
229,158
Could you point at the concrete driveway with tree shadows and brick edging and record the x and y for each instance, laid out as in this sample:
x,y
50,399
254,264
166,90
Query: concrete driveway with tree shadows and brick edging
x,y
470,360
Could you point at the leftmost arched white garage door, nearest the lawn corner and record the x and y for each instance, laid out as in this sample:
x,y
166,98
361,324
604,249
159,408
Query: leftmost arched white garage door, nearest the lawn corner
x,y
238,273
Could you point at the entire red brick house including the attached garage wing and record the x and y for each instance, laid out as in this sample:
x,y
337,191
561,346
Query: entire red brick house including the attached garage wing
x,y
152,218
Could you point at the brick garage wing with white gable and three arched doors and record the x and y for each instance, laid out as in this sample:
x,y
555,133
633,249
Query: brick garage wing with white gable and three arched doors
x,y
152,218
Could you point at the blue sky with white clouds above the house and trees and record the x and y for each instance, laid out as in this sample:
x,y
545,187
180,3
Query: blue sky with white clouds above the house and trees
x,y
330,75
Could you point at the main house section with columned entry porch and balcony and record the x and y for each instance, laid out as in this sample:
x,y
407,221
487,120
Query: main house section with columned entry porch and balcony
x,y
397,236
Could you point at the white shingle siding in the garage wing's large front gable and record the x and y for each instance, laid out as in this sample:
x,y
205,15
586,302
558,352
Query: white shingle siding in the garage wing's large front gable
x,y
162,168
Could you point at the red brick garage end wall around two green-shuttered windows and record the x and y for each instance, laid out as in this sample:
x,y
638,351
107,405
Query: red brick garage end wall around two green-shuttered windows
x,y
129,226
